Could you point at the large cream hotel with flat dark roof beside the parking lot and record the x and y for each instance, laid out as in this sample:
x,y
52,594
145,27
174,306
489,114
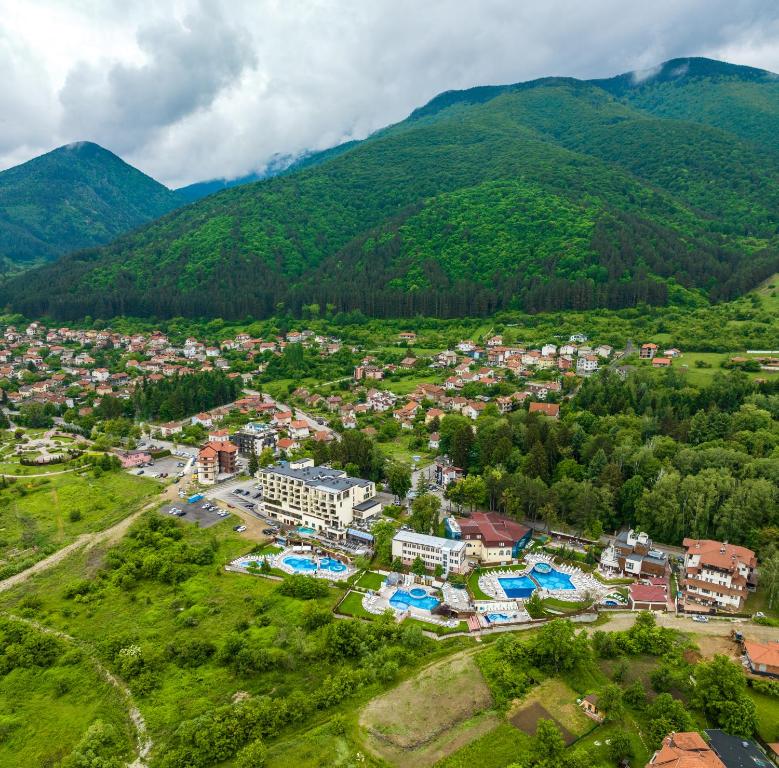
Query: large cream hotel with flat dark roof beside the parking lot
x,y
300,493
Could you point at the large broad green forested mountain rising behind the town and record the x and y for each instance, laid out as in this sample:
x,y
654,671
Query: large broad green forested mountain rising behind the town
x,y
552,194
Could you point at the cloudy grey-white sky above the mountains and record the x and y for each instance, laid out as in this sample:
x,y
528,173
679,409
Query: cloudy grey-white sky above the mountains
x,y
189,90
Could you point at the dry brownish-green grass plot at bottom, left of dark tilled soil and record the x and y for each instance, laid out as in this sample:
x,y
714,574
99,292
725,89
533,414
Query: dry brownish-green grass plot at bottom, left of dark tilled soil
x,y
402,728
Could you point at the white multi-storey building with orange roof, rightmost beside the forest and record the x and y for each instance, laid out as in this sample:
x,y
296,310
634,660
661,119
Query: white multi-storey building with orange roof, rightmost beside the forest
x,y
717,574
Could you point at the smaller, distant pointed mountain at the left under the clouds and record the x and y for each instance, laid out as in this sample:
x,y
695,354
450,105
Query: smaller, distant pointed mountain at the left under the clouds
x,y
77,196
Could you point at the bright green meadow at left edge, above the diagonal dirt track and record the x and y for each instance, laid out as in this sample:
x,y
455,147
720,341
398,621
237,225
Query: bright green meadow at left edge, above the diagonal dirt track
x,y
39,516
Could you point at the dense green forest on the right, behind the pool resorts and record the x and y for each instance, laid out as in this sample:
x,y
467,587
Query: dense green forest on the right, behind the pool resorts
x,y
650,452
